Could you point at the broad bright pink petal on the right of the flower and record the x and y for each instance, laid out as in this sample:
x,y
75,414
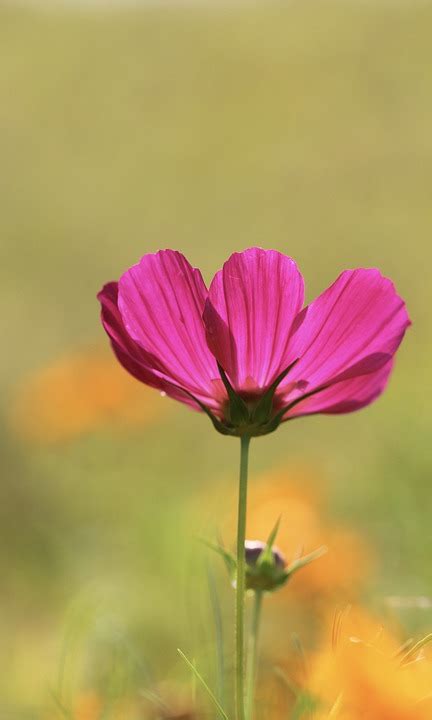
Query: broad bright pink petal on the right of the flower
x,y
352,329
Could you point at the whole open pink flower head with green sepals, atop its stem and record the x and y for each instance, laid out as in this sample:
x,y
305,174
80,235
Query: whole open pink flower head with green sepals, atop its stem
x,y
244,350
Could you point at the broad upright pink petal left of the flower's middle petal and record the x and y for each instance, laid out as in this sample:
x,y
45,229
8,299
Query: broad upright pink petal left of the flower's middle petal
x,y
161,301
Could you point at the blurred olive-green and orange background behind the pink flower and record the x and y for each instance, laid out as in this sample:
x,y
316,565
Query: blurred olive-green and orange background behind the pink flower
x,y
206,127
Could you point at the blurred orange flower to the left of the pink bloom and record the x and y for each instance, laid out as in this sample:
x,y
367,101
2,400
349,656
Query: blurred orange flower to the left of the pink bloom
x,y
80,393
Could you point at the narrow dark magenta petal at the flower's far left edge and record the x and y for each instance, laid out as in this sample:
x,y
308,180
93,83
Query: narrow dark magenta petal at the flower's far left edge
x,y
133,358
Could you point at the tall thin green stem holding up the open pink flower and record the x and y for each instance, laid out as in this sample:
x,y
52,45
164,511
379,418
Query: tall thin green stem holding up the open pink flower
x,y
240,584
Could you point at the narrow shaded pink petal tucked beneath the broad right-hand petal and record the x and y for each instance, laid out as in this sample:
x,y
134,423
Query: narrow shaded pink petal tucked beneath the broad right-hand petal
x,y
345,396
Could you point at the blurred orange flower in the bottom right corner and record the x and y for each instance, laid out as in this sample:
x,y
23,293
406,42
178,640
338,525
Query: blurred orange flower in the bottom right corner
x,y
364,672
